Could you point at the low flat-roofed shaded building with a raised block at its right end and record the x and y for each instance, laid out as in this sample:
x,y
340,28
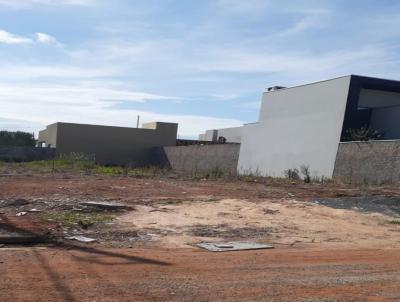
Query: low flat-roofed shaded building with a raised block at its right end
x,y
111,145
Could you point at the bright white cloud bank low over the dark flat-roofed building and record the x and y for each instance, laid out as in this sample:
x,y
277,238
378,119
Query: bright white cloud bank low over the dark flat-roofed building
x,y
92,104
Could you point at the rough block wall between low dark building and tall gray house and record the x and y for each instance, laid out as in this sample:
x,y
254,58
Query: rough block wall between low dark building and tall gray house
x,y
203,159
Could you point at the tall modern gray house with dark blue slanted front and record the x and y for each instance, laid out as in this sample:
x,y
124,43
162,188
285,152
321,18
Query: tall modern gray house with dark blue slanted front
x,y
304,125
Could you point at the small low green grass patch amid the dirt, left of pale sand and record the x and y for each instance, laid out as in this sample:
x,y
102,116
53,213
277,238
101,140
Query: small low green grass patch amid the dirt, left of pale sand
x,y
71,218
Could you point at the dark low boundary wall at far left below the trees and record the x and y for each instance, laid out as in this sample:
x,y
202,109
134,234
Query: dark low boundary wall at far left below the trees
x,y
20,154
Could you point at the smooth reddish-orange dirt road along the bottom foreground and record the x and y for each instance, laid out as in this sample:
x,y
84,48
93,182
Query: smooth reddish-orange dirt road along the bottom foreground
x,y
91,274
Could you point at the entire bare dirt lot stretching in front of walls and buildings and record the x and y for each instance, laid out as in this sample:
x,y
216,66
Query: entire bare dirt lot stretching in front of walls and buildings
x,y
332,242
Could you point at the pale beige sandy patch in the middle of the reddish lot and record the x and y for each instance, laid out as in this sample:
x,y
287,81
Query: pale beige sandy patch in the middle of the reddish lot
x,y
280,222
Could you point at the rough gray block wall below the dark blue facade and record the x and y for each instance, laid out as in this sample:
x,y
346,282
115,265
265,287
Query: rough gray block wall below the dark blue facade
x,y
374,162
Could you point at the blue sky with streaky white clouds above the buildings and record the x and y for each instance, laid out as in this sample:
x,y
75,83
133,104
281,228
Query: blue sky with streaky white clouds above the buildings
x,y
201,63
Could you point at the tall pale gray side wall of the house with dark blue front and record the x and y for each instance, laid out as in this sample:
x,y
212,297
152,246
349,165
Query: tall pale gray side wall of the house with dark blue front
x,y
298,126
